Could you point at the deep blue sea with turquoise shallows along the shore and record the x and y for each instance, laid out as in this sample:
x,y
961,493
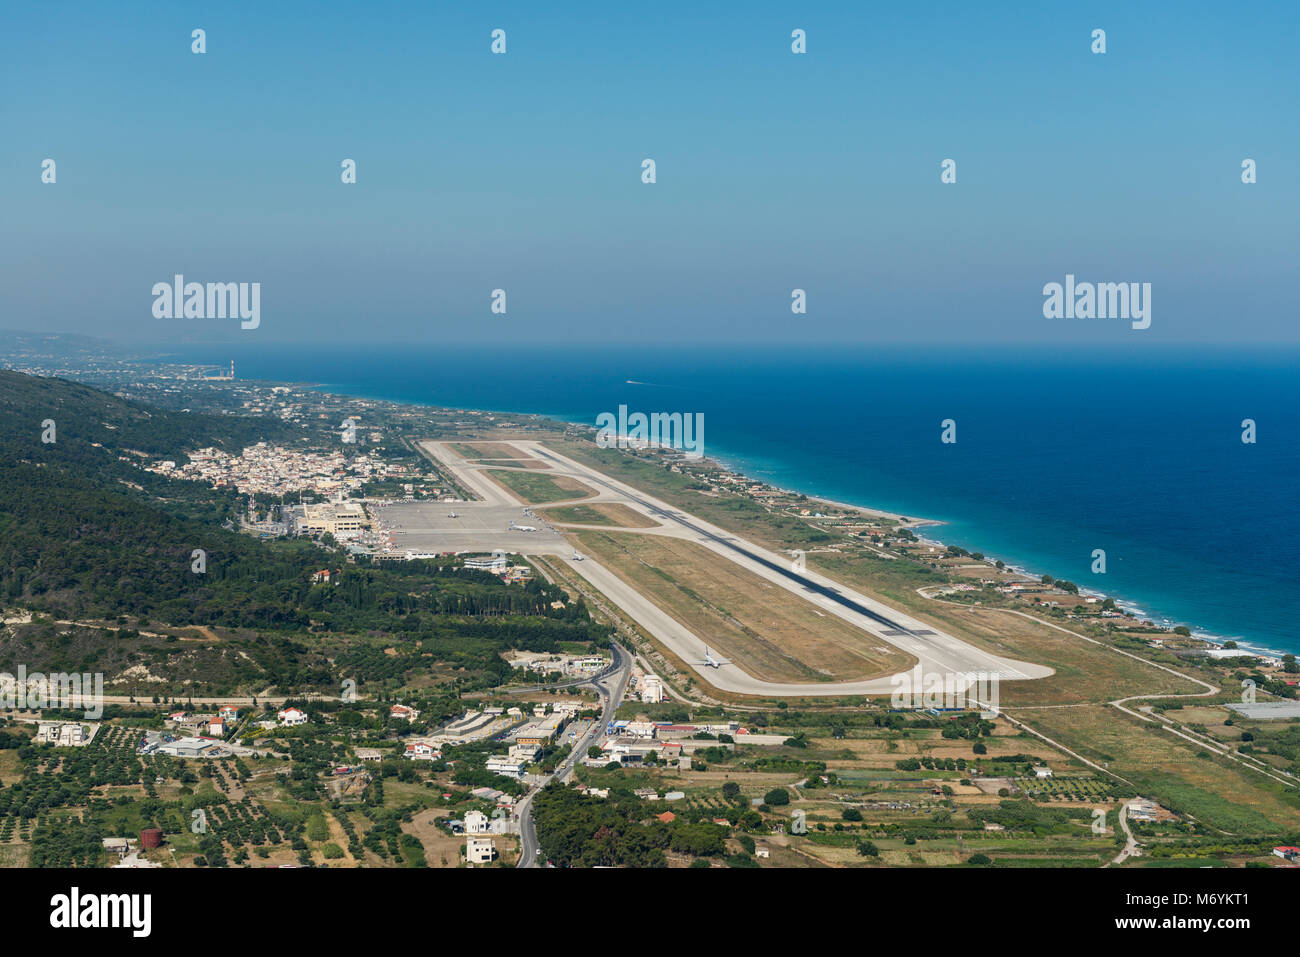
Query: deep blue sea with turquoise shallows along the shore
x,y
1134,451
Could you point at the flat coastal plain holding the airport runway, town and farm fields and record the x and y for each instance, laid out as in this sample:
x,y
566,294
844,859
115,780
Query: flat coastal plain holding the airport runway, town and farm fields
x,y
726,756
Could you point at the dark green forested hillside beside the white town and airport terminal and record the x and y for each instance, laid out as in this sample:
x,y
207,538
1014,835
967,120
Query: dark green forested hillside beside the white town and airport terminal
x,y
85,535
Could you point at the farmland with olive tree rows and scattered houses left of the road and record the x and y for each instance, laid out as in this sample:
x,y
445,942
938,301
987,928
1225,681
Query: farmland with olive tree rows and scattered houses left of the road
x,y
284,806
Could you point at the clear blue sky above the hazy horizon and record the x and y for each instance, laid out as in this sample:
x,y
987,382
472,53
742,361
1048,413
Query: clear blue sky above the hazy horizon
x,y
774,171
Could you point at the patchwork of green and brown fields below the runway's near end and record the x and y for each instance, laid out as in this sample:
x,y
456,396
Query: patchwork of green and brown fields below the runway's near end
x,y
864,789
